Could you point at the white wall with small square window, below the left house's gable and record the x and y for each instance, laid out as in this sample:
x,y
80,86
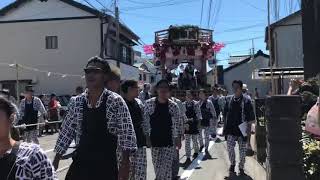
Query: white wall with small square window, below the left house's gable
x,y
24,43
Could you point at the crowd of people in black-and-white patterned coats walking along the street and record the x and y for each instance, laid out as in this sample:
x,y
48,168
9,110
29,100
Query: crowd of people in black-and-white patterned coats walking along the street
x,y
112,125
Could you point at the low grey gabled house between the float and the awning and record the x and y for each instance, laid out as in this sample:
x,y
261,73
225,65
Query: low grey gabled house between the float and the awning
x,y
243,71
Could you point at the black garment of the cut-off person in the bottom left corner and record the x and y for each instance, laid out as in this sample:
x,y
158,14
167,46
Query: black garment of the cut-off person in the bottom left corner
x,y
8,167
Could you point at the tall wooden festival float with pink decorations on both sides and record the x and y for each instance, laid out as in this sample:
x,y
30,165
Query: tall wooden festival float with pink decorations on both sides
x,y
185,49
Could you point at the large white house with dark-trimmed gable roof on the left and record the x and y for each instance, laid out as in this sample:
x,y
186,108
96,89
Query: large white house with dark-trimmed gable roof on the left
x,y
51,41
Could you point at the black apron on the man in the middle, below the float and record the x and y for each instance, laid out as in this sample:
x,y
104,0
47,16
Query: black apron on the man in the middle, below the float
x,y
161,126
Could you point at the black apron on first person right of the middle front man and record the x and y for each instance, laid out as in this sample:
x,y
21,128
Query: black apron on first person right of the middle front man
x,y
193,124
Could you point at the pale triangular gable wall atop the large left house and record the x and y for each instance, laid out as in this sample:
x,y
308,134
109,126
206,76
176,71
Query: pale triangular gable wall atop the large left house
x,y
35,9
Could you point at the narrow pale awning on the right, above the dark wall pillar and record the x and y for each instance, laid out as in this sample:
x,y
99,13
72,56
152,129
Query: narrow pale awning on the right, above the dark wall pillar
x,y
283,73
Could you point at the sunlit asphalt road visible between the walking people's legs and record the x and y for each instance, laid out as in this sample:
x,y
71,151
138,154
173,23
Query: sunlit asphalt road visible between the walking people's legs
x,y
202,168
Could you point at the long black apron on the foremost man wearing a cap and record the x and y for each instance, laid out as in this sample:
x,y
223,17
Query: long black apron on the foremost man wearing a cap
x,y
95,157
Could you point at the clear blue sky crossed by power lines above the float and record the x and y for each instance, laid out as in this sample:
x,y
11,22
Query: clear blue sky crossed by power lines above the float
x,y
234,20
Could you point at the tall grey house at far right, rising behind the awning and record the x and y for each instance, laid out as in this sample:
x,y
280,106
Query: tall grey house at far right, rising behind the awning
x,y
287,46
